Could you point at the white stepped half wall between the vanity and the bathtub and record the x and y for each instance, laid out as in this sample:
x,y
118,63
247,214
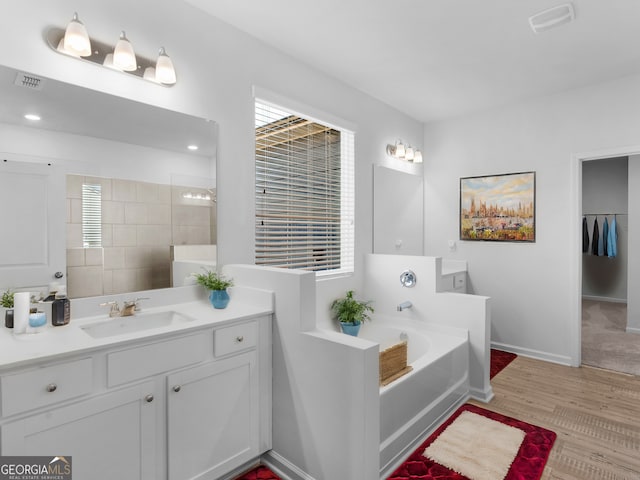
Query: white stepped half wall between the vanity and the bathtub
x,y
326,400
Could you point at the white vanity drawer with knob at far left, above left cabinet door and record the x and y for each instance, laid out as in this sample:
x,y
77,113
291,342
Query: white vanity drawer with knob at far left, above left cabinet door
x,y
43,386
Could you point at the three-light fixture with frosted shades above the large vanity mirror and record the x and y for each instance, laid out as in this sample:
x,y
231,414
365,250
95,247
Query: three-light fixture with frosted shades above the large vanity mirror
x,y
74,41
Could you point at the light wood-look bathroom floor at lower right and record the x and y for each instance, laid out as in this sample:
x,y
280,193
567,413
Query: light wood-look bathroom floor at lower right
x,y
595,413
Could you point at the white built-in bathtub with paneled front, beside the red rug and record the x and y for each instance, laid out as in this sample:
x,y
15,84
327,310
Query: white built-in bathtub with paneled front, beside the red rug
x,y
414,403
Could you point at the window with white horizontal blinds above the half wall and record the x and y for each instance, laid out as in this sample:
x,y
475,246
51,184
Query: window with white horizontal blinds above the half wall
x,y
304,193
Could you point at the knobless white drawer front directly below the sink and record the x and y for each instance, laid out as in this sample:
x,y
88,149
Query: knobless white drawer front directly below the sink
x,y
147,360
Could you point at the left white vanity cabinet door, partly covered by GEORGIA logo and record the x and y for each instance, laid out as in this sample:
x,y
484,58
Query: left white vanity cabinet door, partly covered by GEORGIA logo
x,y
109,436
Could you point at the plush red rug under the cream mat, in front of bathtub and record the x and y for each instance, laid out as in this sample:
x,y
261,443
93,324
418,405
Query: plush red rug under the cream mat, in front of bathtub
x,y
528,464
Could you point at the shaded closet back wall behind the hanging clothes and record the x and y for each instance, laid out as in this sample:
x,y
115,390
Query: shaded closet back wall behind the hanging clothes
x,y
605,188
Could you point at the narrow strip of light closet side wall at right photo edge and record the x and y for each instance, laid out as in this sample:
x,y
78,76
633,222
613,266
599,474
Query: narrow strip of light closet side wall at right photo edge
x,y
633,277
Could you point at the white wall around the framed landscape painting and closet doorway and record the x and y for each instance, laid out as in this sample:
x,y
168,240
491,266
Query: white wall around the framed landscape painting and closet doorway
x,y
534,288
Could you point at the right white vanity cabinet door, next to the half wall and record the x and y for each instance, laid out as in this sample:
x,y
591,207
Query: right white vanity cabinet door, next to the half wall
x,y
213,423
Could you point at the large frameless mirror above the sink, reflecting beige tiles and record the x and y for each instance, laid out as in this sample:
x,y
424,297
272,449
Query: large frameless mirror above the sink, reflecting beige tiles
x,y
102,194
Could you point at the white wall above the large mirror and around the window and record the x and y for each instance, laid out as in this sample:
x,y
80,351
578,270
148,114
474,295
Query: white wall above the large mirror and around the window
x,y
217,66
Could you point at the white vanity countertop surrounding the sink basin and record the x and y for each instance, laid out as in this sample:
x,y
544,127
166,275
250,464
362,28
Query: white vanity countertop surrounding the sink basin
x,y
51,342
